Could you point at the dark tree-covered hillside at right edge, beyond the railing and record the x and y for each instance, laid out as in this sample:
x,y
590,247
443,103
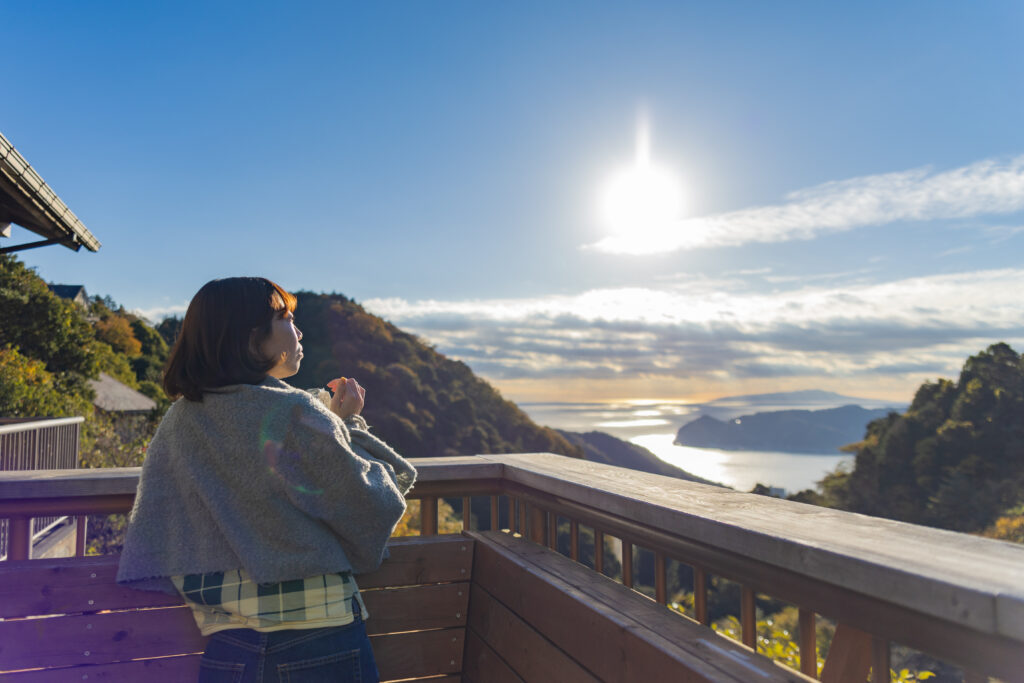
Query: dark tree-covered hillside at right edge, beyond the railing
x,y
955,460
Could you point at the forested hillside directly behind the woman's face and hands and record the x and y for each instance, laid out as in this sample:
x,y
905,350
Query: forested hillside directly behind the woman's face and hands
x,y
417,400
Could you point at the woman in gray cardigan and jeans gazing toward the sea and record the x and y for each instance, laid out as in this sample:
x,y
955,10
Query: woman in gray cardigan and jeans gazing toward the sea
x,y
259,501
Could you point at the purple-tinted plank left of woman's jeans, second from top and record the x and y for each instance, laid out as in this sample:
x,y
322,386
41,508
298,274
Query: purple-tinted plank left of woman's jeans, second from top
x,y
99,638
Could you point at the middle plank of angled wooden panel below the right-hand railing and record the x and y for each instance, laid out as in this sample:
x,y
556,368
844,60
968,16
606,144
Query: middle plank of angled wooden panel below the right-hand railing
x,y
528,653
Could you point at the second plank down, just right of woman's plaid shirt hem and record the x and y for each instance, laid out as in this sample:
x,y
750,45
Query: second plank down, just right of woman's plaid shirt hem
x,y
417,608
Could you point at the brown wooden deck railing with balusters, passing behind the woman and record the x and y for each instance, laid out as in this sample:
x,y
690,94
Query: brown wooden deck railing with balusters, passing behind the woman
x,y
958,597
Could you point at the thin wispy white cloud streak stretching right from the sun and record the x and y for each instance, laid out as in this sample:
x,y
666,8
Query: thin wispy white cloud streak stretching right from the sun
x,y
984,188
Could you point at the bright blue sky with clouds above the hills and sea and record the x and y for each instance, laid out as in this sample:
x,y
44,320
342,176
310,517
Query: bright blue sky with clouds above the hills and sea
x,y
852,178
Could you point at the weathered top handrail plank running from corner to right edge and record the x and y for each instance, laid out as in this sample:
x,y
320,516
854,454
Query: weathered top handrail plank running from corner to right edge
x,y
978,583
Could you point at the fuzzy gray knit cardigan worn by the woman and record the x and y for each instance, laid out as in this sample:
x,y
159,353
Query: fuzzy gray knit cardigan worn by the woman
x,y
262,478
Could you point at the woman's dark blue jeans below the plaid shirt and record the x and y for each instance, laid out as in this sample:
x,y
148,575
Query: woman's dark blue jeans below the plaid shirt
x,y
339,655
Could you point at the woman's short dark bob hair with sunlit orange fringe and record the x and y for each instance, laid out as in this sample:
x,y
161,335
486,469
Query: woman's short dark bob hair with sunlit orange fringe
x,y
219,345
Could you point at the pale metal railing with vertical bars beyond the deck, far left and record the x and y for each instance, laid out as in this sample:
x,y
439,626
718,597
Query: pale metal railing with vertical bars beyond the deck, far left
x,y
38,444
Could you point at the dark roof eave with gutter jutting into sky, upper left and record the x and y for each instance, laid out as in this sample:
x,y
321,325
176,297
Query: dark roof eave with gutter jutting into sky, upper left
x,y
28,201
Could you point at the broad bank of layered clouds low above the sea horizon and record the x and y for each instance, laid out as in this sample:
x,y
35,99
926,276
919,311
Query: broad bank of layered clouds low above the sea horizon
x,y
910,327
